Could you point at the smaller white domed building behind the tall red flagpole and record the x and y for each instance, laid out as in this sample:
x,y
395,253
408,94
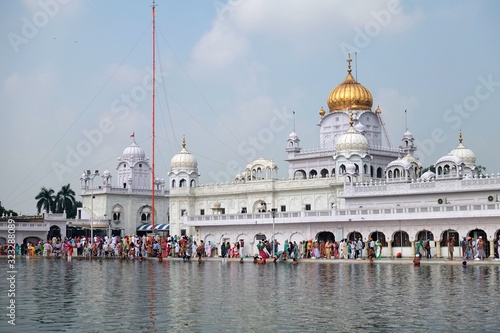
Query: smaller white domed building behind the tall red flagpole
x,y
126,206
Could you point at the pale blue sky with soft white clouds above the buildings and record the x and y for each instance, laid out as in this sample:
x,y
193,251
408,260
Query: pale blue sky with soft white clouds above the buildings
x,y
75,81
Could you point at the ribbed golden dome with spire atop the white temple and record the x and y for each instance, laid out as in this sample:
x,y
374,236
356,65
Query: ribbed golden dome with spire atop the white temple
x,y
350,94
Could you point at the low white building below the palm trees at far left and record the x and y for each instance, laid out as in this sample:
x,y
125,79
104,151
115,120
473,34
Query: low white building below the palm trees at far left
x,y
33,228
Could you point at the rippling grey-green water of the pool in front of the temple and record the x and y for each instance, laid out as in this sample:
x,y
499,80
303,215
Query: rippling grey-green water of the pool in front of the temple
x,y
130,296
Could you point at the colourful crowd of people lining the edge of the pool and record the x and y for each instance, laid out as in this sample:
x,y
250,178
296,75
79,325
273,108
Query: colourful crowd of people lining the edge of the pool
x,y
186,247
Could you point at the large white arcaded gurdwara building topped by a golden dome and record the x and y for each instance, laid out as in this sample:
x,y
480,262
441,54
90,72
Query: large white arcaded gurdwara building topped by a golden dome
x,y
354,185
